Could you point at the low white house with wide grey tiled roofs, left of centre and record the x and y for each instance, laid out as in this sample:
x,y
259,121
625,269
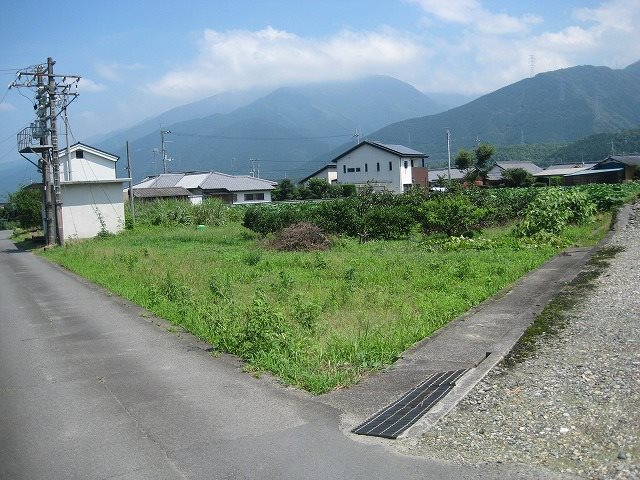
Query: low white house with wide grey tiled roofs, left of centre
x,y
233,189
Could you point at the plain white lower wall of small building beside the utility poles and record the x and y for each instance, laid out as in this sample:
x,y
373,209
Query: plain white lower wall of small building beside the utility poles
x,y
87,207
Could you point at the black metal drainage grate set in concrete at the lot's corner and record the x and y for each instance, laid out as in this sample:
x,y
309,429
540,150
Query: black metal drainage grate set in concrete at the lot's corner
x,y
394,419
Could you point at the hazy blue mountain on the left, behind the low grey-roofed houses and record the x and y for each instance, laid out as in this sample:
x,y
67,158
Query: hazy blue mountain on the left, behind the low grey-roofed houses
x,y
284,130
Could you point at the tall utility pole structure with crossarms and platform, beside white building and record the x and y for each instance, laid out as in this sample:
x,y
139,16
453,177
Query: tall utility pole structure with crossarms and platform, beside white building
x,y
53,94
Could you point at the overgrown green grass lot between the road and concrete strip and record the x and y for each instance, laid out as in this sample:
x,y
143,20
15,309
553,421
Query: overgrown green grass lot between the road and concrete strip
x,y
317,320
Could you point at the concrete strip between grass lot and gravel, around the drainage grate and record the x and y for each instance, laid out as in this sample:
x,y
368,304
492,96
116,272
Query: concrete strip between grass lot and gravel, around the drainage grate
x,y
478,340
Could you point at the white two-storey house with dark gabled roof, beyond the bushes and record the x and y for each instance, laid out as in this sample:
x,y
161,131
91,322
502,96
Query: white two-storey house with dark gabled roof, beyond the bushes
x,y
394,168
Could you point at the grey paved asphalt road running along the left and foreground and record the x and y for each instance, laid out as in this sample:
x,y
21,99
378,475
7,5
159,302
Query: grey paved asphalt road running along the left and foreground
x,y
92,389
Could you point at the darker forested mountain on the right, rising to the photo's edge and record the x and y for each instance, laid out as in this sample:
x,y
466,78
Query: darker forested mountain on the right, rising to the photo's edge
x,y
559,106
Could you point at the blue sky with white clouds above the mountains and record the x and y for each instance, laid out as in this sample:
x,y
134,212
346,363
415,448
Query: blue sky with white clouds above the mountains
x,y
138,58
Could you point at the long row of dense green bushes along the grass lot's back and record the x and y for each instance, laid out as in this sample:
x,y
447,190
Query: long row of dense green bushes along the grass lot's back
x,y
370,215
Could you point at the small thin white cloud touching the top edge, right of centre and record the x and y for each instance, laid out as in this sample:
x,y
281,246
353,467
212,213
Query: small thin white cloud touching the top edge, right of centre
x,y
471,13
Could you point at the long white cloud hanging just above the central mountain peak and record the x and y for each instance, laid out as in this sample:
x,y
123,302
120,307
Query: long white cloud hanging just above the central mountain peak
x,y
269,57
